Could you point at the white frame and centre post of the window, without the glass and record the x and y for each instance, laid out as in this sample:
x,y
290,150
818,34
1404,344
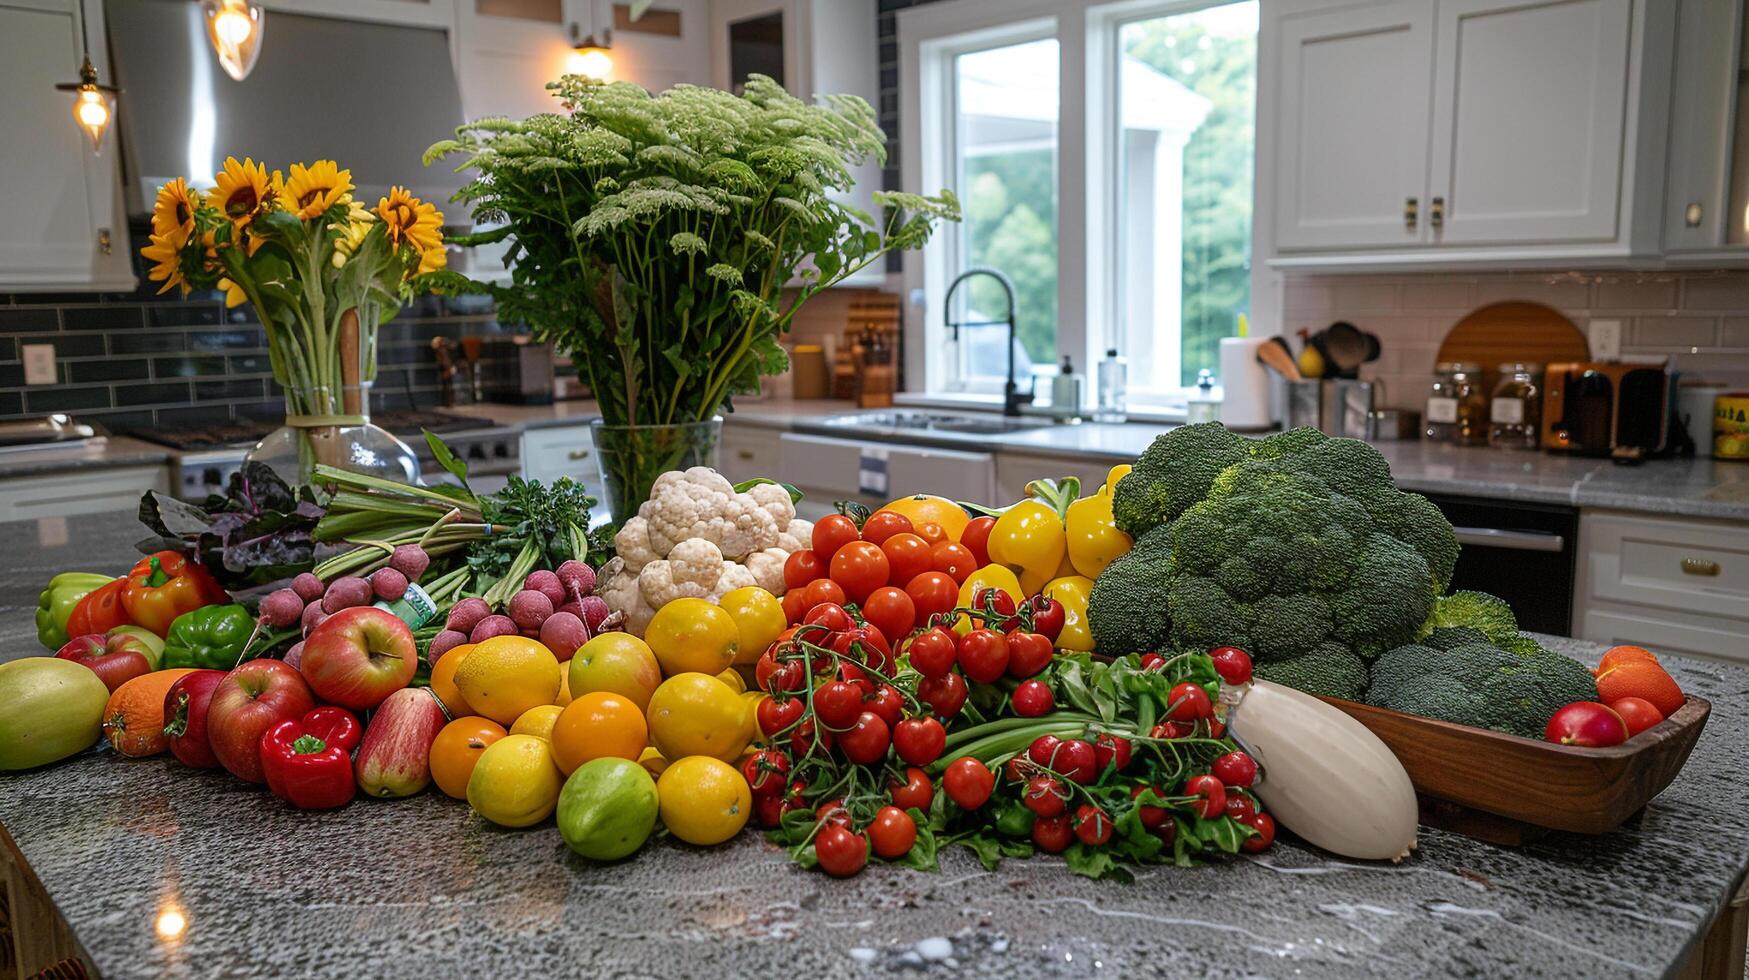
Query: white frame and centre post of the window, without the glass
x,y
1089,181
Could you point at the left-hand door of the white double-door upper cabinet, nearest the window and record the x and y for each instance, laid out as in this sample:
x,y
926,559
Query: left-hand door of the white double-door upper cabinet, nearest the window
x,y
1353,127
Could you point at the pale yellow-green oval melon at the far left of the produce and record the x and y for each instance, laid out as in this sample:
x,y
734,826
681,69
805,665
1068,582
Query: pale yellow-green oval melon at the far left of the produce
x,y
52,710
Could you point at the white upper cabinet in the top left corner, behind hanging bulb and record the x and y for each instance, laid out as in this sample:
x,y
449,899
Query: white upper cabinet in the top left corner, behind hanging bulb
x,y
64,227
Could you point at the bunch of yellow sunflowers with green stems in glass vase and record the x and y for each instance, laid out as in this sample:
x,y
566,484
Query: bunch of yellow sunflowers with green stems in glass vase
x,y
321,269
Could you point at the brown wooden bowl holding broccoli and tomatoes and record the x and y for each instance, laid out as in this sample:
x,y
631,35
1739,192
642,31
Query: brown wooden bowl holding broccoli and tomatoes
x,y
1510,790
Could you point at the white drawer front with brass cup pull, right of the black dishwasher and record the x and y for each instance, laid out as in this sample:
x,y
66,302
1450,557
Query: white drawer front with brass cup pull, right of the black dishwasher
x,y
1664,584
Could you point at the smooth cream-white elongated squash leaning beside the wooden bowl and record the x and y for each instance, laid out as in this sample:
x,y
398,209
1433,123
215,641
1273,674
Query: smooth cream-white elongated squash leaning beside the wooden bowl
x,y
1325,776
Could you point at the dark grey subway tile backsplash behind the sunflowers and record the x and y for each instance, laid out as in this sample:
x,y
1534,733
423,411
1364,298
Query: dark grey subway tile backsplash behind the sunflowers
x,y
132,360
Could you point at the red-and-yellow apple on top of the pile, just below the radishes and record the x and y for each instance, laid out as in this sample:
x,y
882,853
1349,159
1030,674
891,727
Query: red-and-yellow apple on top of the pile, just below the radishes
x,y
359,657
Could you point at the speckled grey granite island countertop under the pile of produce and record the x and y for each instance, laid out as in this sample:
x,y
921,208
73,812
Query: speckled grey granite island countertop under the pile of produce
x,y
426,888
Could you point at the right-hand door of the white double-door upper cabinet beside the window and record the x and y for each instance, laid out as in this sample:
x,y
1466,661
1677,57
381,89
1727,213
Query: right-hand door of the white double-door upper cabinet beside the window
x,y
1530,120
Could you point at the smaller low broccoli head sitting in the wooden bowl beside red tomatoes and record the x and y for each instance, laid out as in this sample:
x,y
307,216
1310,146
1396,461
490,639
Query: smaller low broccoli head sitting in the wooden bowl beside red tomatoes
x,y
1479,685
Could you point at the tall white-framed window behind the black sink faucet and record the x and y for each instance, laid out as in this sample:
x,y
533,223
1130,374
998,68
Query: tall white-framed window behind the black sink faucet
x,y
1103,155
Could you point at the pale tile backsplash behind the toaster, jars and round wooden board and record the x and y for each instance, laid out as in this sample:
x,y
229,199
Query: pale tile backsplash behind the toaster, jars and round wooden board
x,y
1699,319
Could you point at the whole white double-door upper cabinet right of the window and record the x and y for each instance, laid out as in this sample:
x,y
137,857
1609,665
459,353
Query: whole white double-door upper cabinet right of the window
x,y
1430,134
